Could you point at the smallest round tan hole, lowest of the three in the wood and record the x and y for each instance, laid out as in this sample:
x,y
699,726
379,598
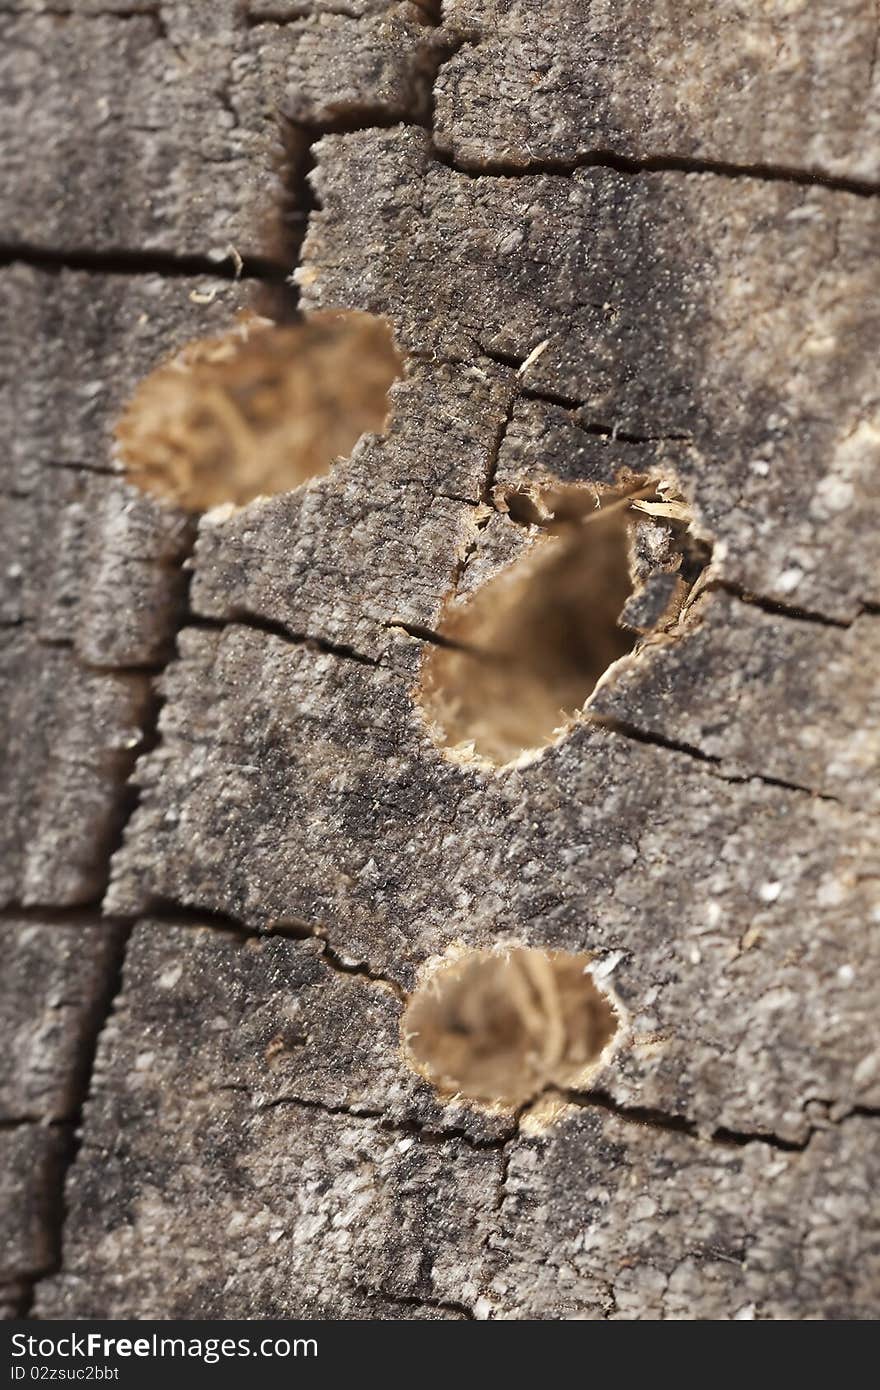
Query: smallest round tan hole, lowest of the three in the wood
x,y
503,1027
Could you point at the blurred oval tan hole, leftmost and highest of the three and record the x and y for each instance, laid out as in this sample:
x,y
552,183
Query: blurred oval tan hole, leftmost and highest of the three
x,y
258,411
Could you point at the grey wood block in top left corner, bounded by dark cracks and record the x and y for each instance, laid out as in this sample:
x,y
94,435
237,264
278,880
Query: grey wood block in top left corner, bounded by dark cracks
x,y
161,130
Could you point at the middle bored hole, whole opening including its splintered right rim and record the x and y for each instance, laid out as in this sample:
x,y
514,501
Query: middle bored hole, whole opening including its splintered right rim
x,y
522,657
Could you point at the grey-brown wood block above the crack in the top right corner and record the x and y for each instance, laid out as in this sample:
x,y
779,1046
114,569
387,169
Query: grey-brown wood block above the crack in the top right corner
x,y
790,84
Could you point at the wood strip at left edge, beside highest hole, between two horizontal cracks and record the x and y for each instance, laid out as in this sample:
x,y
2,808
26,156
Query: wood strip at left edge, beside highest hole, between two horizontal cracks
x,y
92,579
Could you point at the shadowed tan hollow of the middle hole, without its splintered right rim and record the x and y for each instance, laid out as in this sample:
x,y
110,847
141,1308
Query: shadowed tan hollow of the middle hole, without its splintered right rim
x,y
529,648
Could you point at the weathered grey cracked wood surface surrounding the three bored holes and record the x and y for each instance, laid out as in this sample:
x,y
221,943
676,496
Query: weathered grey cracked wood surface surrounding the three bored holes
x,y
633,193
